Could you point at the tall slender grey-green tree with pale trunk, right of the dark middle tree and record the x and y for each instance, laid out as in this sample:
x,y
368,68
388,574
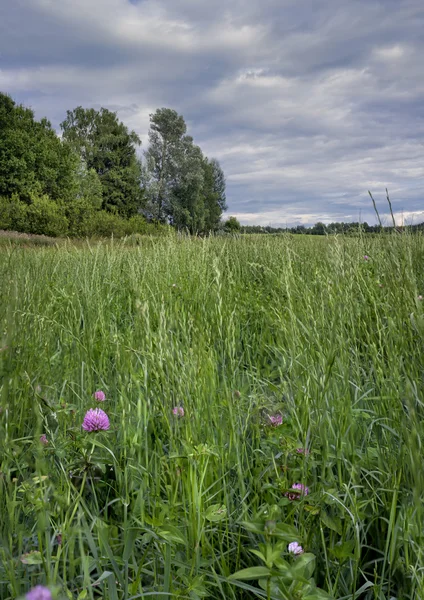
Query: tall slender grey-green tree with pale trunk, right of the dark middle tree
x,y
163,158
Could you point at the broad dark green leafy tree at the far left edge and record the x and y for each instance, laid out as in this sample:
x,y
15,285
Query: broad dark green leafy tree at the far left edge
x,y
33,160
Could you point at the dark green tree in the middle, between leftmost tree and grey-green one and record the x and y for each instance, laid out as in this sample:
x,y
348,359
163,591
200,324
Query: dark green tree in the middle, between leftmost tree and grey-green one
x,y
105,145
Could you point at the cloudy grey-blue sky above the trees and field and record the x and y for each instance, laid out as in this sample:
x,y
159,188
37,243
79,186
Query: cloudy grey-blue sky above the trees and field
x,y
307,104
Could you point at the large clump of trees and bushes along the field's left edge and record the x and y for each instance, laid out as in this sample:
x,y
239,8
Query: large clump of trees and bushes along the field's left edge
x,y
91,180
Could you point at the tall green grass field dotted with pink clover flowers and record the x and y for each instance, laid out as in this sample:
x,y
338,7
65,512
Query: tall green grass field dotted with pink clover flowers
x,y
287,360
